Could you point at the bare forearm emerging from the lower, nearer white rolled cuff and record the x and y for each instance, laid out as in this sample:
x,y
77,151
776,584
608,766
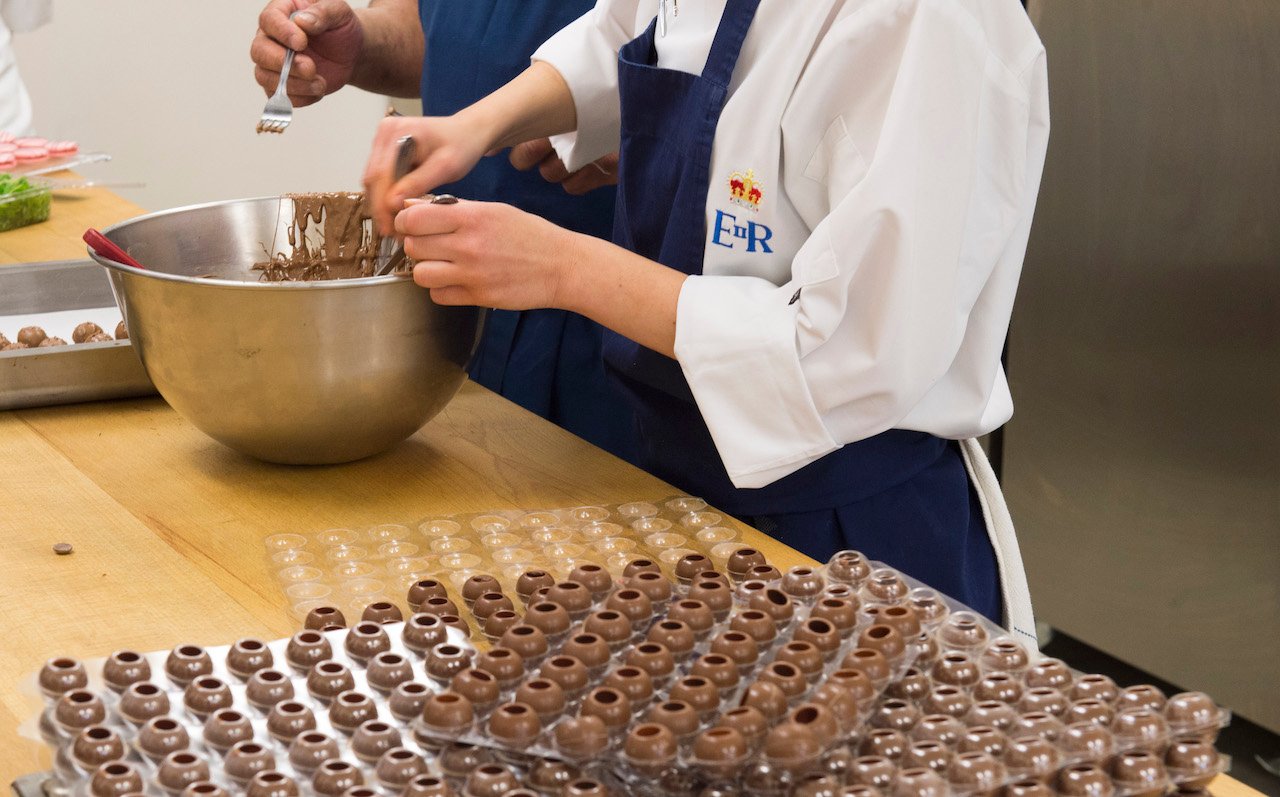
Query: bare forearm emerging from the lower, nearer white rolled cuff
x,y
623,291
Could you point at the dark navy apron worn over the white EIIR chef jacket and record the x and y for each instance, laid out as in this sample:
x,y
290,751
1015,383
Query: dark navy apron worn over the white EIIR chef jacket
x,y
900,497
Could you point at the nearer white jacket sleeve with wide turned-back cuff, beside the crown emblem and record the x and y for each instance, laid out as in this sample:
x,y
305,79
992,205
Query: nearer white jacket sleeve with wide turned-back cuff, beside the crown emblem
x,y
922,140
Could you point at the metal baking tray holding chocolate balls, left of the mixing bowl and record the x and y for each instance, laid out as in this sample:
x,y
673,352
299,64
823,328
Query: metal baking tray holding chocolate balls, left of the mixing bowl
x,y
65,374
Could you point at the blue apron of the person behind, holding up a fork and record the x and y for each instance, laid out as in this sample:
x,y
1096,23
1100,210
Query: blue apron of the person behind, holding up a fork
x,y
547,361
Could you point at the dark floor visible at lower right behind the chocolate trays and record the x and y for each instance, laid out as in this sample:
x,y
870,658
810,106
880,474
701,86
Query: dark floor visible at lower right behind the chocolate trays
x,y
1245,741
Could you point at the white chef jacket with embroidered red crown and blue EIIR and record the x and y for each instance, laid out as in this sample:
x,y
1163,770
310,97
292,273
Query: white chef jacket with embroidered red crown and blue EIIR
x,y
895,150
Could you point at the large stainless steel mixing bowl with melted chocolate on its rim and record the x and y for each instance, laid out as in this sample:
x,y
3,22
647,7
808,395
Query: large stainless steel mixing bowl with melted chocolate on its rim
x,y
290,373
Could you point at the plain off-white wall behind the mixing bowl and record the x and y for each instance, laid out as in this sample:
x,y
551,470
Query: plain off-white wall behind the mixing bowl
x,y
167,88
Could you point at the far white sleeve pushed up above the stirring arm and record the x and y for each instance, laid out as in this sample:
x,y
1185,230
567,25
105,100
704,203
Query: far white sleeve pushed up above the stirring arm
x,y
587,56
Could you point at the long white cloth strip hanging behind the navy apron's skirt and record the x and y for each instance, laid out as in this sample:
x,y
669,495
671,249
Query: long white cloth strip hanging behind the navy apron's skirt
x,y
1013,579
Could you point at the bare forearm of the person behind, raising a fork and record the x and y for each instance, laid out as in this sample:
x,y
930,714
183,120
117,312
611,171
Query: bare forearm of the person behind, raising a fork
x,y
391,58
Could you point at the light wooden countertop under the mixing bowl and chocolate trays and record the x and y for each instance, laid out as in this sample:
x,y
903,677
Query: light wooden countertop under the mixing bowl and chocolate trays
x,y
168,525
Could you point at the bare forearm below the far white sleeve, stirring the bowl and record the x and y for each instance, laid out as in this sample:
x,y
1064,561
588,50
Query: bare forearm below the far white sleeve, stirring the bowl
x,y
534,106
